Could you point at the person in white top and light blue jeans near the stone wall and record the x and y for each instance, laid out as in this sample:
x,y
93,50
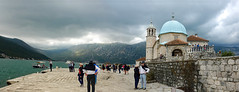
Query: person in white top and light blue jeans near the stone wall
x,y
143,69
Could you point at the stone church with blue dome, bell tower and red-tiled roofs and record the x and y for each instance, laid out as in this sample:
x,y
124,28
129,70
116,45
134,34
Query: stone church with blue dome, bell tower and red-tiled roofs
x,y
174,44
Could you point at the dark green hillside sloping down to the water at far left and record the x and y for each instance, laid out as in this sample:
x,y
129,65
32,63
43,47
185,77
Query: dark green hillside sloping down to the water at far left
x,y
18,49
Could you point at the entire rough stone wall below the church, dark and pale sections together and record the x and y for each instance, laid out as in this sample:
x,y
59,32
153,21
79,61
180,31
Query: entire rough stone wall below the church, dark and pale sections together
x,y
219,74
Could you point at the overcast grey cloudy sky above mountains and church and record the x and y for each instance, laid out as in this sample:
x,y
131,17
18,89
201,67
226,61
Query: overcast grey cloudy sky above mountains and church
x,y
49,24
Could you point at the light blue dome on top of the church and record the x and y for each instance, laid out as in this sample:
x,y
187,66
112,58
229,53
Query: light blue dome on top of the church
x,y
173,26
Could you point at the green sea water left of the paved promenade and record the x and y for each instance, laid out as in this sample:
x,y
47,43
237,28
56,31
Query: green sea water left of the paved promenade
x,y
10,68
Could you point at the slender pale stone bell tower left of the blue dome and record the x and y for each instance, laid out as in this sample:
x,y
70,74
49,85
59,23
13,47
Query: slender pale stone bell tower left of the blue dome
x,y
150,40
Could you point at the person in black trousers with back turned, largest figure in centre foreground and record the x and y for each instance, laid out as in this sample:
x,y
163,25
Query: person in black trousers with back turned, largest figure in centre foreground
x,y
90,73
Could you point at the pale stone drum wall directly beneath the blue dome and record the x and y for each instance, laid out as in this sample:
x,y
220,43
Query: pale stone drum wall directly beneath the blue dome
x,y
172,36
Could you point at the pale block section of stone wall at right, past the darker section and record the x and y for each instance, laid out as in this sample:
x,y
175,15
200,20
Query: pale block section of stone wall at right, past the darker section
x,y
219,74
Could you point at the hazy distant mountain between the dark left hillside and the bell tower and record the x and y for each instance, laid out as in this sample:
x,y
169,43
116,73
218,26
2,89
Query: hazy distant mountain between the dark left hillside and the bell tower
x,y
114,52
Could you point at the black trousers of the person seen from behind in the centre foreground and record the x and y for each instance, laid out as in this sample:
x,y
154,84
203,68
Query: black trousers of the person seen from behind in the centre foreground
x,y
91,80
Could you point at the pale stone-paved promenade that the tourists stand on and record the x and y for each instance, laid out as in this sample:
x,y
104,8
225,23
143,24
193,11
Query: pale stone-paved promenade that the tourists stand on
x,y
60,80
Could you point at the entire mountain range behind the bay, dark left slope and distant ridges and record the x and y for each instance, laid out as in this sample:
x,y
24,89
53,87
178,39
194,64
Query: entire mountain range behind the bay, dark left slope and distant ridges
x,y
112,52
